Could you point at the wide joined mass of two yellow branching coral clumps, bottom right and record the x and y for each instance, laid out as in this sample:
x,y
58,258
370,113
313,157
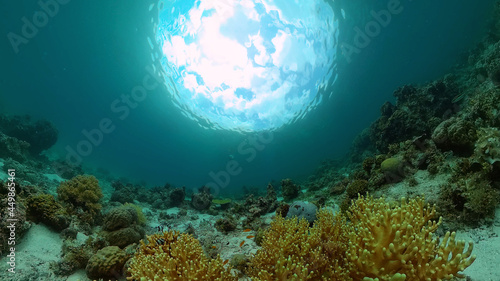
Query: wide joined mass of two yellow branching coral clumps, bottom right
x,y
382,241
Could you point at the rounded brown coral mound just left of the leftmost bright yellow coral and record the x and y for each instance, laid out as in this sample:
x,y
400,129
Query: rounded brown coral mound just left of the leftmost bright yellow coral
x,y
106,263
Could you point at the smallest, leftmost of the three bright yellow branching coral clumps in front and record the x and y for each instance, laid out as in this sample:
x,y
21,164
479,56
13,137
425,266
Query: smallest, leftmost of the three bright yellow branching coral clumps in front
x,y
175,257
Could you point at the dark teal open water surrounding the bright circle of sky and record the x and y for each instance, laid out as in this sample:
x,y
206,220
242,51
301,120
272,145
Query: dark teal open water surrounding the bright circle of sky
x,y
92,52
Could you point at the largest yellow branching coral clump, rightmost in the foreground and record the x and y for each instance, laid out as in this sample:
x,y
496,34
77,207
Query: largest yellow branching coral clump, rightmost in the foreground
x,y
386,240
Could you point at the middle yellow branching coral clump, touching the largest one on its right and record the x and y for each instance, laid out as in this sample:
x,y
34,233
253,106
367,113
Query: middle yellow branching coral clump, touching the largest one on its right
x,y
293,251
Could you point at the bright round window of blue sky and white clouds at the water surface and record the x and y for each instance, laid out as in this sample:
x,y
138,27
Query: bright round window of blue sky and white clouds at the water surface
x,y
248,66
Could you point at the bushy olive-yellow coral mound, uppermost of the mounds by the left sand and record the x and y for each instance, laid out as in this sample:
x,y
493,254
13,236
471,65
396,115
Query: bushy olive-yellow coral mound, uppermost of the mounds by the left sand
x,y
81,195
